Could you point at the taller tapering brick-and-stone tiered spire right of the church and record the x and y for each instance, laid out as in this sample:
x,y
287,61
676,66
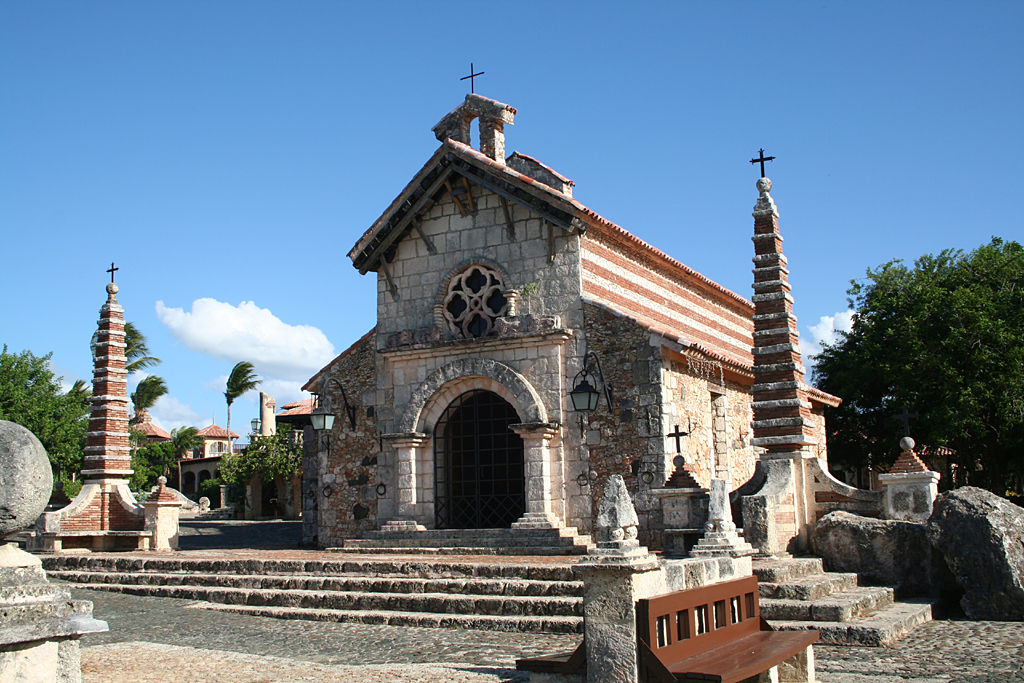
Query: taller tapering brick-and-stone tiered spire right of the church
x,y
783,421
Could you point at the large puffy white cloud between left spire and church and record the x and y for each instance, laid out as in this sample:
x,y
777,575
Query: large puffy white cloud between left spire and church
x,y
249,333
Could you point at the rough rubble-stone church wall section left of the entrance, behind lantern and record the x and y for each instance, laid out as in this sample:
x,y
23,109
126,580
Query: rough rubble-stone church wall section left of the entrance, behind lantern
x,y
351,469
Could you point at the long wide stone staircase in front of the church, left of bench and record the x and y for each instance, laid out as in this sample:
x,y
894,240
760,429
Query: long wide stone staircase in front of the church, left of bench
x,y
515,596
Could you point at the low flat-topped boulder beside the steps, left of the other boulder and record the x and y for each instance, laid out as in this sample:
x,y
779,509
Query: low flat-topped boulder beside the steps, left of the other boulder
x,y
884,552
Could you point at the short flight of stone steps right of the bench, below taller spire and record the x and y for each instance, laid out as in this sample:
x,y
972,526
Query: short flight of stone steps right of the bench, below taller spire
x,y
798,594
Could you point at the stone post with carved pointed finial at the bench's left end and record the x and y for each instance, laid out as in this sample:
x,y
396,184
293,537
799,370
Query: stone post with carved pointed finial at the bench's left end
x,y
616,574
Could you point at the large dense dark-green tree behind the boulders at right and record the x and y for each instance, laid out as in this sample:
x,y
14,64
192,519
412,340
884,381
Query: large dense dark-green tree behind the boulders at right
x,y
946,338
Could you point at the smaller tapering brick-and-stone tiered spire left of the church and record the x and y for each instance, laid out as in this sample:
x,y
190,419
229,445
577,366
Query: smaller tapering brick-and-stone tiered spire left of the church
x,y
108,453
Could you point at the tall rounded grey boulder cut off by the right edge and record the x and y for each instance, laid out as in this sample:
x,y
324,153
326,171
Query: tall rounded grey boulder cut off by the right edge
x,y
983,539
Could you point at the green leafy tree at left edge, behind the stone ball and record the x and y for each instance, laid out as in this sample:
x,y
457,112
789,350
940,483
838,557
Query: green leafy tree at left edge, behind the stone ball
x,y
31,396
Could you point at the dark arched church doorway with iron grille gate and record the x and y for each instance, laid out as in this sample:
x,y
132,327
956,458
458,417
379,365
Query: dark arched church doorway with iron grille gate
x,y
480,481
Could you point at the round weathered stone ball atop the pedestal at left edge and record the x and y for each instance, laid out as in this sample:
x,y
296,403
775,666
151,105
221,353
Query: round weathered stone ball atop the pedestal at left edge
x,y
26,480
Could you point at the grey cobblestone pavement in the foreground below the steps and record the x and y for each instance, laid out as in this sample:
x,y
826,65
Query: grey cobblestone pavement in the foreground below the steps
x,y
163,639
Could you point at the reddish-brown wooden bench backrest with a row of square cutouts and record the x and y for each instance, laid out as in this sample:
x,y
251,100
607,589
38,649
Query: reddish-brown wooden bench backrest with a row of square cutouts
x,y
676,626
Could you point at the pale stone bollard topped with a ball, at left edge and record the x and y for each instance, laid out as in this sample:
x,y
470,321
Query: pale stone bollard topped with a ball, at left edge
x,y
41,625
